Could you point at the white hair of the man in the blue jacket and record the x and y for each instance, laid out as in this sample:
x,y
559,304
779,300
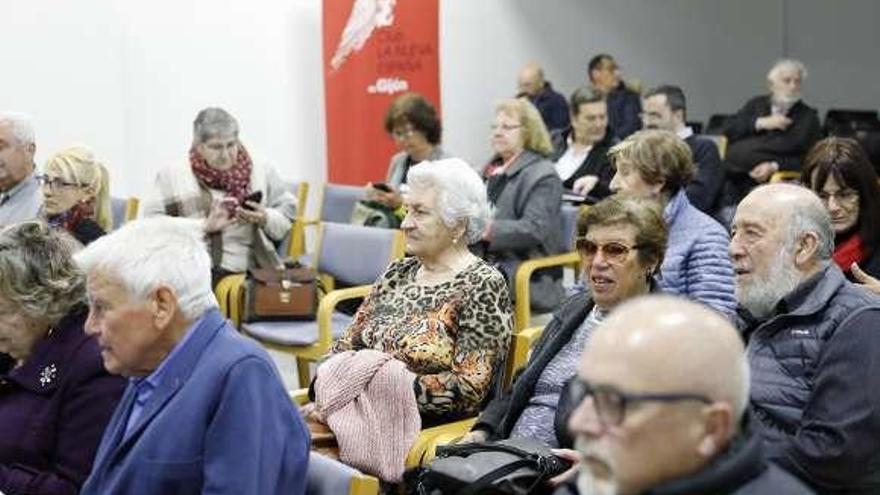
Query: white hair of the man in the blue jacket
x,y
152,252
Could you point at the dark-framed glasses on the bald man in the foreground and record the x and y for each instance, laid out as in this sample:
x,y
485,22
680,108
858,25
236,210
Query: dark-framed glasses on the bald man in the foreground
x,y
610,402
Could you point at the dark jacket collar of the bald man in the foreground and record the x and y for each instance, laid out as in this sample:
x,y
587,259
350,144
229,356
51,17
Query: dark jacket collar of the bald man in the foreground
x,y
740,463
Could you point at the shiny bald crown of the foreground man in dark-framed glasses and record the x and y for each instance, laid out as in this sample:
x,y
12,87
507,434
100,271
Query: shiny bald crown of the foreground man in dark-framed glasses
x,y
665,344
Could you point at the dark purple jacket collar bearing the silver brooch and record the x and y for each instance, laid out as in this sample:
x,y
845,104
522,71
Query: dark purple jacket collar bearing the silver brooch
x,y
44,369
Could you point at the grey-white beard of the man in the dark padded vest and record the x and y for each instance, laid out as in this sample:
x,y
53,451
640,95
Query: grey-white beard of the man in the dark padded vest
x,y
761,295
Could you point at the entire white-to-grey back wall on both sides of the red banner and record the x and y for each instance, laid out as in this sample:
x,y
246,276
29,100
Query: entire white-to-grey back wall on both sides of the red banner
x,y
127,77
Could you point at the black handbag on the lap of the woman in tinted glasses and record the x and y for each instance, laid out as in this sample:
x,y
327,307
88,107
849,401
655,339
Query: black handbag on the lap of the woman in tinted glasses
x,y
516,466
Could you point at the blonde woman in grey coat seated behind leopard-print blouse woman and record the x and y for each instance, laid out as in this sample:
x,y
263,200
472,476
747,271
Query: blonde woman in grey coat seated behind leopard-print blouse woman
x,y
526,197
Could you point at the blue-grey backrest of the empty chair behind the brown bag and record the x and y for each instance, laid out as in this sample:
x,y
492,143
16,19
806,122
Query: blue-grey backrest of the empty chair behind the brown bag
x,y
357,255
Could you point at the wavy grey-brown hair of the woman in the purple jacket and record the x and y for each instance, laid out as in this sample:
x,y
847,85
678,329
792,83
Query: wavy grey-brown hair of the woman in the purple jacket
x,y
37,272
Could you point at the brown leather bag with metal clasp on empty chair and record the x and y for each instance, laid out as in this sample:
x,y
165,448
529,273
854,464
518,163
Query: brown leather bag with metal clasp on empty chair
x,y
276,294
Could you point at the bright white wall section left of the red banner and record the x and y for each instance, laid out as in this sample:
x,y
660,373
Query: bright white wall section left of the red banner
x,y
127,78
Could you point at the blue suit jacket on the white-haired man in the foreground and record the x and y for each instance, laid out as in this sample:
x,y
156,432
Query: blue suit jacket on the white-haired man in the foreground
x,y
220,422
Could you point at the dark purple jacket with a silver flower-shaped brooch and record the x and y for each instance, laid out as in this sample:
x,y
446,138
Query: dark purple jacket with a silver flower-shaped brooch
x,y
53,410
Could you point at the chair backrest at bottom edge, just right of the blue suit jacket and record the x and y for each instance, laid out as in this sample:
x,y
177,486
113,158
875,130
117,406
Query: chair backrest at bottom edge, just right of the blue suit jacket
x,y
326,476
